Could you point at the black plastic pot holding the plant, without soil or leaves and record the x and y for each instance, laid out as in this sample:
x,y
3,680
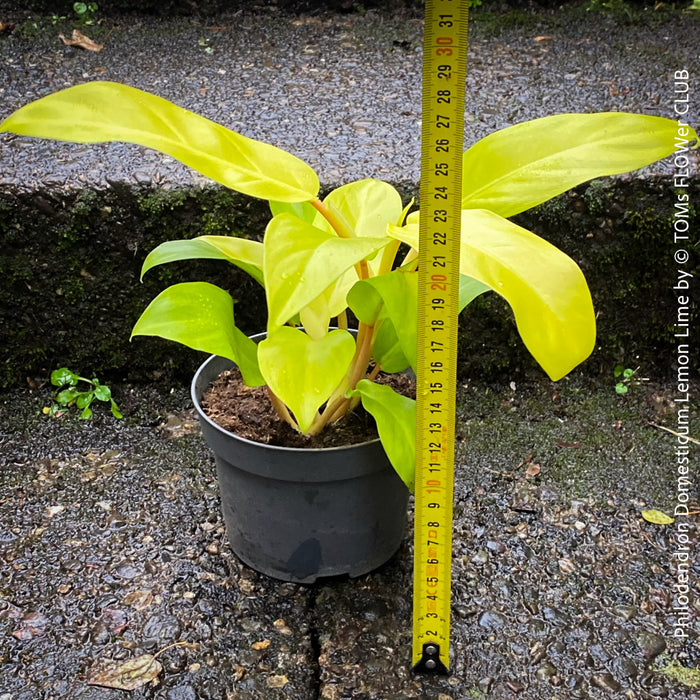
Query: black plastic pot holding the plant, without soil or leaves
x,y
300,514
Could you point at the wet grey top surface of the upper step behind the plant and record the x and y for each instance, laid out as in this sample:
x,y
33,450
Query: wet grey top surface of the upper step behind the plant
x,y
340,91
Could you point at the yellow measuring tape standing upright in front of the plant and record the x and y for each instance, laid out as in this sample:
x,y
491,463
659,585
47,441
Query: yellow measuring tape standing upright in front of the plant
x,y
444,75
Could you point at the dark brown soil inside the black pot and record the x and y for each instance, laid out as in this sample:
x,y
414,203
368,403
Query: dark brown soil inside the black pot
x,y
248,412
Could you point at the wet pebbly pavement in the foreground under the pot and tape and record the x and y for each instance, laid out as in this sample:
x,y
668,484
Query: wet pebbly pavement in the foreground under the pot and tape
x,y
113,547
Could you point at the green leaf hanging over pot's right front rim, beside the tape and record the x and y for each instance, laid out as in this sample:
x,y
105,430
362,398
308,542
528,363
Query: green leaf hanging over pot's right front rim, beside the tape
x,y
396,423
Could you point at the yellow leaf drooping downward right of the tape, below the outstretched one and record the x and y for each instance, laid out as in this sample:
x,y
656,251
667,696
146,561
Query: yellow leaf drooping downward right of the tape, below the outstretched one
x,y
545,288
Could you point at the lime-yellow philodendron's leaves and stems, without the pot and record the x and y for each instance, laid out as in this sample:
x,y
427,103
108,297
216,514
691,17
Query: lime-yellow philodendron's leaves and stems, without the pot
x,y
321,257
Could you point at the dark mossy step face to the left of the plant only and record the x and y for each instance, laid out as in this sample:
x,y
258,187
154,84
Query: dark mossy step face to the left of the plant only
x,y
71,268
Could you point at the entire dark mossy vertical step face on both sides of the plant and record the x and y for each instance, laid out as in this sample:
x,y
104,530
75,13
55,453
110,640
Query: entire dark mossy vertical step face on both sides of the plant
x,y
71,267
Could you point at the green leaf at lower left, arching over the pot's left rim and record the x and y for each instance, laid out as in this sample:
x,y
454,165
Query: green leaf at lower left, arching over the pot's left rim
x,y
200,315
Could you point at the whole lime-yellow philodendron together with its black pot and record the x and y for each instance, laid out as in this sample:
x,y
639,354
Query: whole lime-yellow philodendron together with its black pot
x,y
326,512
